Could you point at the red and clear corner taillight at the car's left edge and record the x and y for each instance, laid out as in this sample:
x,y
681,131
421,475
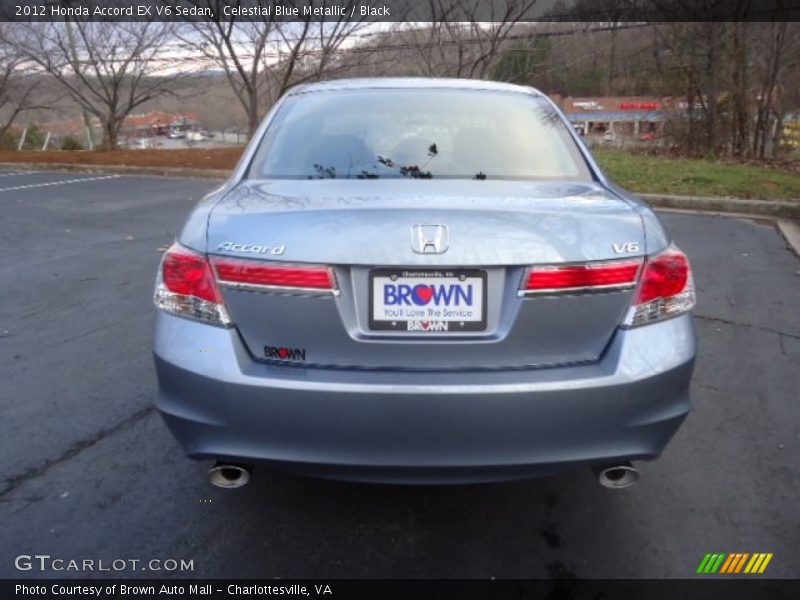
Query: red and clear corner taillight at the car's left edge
x,y
186,287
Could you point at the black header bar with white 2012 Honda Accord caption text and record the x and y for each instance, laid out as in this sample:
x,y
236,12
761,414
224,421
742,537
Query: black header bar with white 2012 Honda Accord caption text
x,y
612,11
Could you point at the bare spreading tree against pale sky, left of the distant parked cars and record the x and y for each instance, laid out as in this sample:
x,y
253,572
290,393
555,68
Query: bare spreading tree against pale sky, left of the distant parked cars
x,y
108,68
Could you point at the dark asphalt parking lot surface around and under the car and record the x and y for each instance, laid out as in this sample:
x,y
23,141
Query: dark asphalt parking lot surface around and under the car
x,y
89,470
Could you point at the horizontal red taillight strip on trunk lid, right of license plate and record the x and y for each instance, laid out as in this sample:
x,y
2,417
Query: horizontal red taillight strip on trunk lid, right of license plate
x,y
588,277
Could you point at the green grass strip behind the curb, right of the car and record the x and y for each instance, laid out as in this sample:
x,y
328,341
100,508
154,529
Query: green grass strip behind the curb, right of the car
x,y
697,177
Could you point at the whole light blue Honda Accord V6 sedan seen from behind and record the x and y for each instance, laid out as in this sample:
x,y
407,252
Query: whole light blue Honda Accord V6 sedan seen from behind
x,y
422,280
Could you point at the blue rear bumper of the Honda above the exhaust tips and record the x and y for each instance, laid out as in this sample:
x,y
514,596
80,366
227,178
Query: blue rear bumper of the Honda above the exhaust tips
x,y
415,427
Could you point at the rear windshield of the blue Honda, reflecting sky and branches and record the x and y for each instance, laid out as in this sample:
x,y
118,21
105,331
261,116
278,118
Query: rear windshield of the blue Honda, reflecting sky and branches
x,y
418,133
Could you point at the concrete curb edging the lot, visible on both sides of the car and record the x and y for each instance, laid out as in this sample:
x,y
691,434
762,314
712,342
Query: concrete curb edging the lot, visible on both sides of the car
x,y
776,209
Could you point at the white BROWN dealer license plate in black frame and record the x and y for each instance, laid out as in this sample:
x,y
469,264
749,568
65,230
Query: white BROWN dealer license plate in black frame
x,y
447,300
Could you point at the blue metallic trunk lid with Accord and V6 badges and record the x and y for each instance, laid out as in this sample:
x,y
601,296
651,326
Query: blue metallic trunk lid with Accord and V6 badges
x,y
365,228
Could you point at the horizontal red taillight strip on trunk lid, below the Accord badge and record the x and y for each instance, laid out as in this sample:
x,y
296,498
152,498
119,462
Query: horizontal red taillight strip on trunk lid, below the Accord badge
x,y
289,278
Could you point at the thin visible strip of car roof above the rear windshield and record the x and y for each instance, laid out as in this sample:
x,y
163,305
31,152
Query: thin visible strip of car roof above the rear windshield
x,y
360,83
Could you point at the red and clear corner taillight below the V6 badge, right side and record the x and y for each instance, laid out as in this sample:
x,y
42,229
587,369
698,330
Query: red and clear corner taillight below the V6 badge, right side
x,y
666,289
